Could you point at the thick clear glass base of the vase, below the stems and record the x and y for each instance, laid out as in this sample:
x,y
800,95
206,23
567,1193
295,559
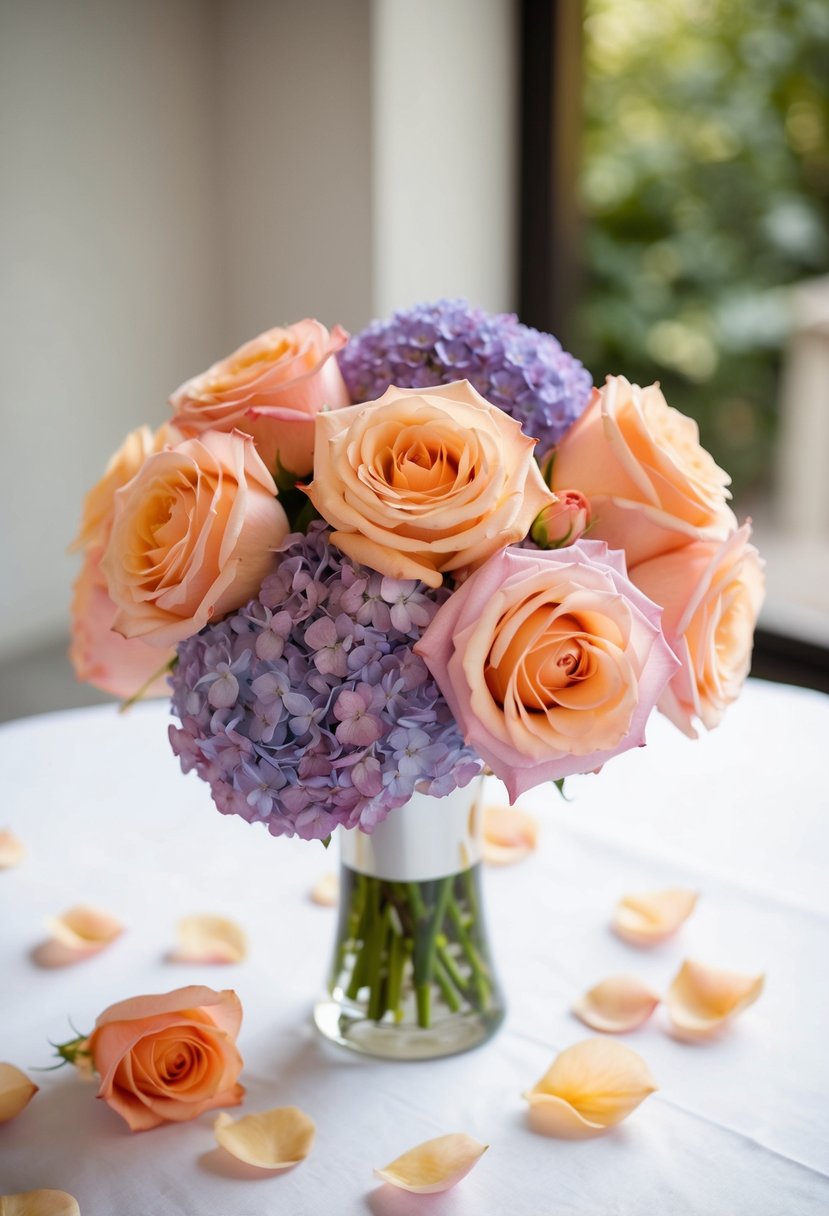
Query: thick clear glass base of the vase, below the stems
x,y
348,1027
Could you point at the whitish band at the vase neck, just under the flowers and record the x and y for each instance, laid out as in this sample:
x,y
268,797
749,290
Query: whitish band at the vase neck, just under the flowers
x,y
427,838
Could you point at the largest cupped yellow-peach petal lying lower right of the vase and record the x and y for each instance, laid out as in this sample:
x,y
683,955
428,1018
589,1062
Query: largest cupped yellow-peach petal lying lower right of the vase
x,y
590,1088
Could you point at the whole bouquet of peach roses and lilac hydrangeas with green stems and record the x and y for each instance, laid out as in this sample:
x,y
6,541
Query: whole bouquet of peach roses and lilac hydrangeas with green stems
x,y
374,568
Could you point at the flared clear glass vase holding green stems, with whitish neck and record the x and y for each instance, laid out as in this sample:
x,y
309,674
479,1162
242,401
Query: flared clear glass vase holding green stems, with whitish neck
x,y
413,975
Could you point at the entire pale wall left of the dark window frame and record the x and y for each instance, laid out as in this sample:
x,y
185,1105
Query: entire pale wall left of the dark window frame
x,y
181,174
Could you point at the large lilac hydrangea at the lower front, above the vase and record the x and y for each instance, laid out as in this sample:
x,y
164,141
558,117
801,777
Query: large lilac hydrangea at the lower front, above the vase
x,y
308,708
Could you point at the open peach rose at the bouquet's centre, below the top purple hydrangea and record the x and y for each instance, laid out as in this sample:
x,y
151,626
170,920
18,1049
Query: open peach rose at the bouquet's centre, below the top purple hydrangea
x,y
425,482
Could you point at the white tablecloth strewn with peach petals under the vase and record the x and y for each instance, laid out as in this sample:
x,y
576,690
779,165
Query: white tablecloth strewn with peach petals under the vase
x,y
738,1127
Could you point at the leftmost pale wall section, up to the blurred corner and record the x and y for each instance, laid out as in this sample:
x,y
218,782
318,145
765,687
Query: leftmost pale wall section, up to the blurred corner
x,y
108,296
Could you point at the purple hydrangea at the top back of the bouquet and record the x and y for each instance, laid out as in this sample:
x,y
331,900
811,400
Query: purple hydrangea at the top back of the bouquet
x,y
525,373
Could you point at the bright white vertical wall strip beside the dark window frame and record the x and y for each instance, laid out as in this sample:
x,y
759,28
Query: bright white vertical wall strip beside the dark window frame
x,y
445,137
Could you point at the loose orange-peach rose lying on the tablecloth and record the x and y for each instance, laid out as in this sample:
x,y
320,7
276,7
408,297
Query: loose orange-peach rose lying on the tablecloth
x,y
168,1059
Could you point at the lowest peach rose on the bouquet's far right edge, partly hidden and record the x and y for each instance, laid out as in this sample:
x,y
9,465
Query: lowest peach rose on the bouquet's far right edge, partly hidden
x,y
712,594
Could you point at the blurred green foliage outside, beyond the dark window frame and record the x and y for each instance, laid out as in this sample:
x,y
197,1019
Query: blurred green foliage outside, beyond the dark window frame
x,y
706,188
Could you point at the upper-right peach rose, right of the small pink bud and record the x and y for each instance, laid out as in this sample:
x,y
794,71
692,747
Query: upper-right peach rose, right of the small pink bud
x,y
651,486
